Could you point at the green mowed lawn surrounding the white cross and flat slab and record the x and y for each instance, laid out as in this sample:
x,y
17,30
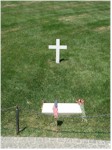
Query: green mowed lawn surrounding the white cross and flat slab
x,y
29,71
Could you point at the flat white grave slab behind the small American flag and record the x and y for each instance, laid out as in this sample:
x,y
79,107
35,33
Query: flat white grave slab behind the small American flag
x,y
63,108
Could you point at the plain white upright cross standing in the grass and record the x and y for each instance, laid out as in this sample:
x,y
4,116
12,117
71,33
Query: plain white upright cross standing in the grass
x,y
57,47
